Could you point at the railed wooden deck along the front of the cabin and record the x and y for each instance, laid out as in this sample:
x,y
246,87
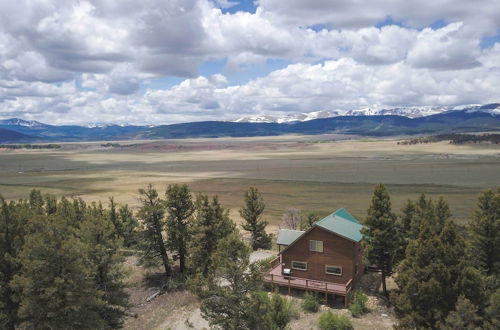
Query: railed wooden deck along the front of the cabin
x,y
275,277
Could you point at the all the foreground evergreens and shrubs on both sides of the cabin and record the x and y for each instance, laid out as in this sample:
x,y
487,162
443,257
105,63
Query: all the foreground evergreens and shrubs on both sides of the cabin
x,y
62,260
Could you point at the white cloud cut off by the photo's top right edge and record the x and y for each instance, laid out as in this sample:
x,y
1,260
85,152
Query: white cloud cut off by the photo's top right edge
x,y
357,14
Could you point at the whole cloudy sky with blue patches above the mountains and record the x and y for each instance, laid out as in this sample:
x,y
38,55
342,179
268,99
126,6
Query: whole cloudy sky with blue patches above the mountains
x,y
155,61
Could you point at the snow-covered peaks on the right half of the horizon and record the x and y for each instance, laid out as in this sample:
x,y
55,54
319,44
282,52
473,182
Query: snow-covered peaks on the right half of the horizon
x,y
410,112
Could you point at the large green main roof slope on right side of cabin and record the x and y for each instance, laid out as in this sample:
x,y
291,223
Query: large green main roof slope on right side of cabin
x,y
342,223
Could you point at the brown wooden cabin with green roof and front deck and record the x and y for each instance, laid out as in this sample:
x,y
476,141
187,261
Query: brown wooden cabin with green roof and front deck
x,y
327,258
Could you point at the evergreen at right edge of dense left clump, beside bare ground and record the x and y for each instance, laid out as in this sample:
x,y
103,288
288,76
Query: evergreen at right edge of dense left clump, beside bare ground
x,y
98,233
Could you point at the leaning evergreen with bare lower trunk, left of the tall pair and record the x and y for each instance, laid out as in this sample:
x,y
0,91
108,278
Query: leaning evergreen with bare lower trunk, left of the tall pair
x,y
152,243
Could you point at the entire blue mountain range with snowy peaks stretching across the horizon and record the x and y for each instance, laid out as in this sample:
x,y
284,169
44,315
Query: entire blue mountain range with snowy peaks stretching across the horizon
x,y
384,122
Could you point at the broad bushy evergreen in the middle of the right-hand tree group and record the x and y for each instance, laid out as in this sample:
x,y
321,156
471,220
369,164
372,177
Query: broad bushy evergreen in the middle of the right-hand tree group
x,y
433,275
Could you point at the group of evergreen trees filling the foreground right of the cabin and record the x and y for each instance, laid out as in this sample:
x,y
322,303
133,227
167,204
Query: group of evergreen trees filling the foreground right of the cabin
x,y
446,278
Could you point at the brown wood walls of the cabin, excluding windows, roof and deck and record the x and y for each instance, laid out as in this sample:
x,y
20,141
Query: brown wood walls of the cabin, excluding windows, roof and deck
x,y
337,251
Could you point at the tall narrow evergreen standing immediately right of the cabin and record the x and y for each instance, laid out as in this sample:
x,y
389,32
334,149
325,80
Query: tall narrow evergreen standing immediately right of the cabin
x,y
381,237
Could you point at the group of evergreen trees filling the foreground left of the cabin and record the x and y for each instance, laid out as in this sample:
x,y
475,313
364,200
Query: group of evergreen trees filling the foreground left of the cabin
x,y
61,260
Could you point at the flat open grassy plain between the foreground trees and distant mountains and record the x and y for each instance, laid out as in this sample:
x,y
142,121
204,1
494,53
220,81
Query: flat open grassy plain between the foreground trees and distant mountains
x,y
313,173
